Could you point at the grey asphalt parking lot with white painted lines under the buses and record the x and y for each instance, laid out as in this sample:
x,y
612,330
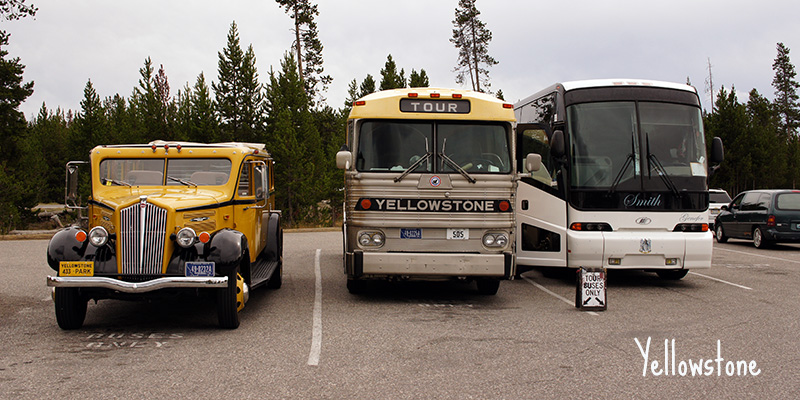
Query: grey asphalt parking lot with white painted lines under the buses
x,y
312,339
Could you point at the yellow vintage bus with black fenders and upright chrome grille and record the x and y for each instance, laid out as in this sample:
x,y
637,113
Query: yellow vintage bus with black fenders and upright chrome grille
x,y
169,217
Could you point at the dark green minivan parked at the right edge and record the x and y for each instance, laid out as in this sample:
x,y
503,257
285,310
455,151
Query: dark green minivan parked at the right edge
x,y
764,216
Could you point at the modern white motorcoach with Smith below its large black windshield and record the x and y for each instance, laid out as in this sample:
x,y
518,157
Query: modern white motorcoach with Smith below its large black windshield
x,y
623,183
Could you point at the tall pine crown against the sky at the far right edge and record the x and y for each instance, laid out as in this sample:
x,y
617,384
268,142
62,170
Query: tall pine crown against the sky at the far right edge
x,y
786,97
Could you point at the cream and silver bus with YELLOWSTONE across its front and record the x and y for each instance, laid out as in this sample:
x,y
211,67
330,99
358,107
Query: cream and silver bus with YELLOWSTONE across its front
x,y
429,186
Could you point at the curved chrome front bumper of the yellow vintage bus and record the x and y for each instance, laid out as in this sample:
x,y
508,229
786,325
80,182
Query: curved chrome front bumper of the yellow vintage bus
x,y
137,287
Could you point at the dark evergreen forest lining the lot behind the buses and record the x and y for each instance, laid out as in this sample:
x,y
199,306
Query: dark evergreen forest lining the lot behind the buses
x,y
286,110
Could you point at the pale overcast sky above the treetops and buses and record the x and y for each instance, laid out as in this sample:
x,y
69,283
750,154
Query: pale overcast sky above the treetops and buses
x,y
537,43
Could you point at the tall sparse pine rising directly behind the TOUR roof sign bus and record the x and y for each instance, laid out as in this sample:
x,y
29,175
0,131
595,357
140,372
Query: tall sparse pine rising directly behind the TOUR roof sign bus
x,y
471,38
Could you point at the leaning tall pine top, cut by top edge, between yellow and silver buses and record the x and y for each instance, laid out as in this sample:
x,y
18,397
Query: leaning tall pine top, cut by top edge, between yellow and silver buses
x,y
307,47
